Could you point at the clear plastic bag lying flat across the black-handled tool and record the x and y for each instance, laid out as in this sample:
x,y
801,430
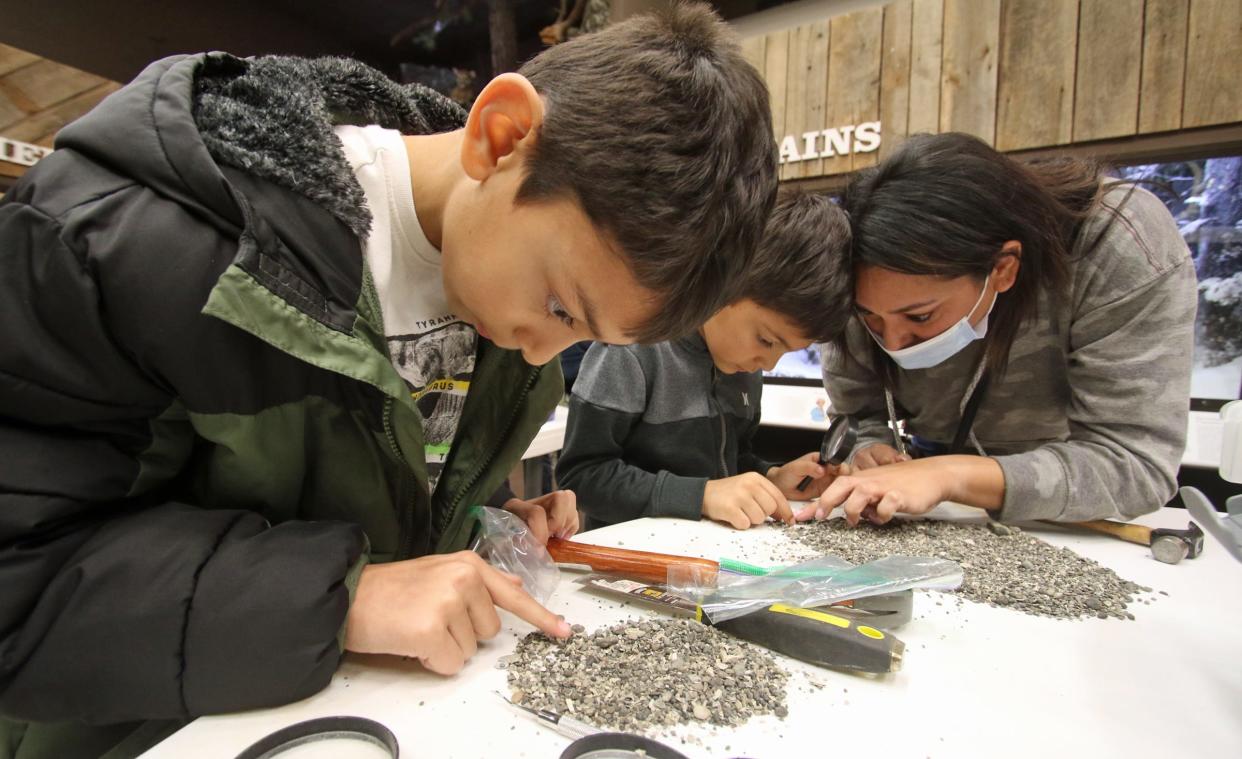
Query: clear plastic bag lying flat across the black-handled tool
x,y
817,583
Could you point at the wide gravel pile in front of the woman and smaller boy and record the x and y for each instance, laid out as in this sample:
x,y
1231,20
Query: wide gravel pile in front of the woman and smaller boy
x,y
1003,566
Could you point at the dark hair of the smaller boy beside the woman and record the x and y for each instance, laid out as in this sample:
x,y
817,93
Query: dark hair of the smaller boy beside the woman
x,y
803,266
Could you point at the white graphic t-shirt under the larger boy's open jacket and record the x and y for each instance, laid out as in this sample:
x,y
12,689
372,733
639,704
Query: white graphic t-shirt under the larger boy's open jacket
x,y
430,347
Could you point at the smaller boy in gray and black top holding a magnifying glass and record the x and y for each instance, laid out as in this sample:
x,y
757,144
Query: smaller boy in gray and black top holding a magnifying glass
x,y
666,430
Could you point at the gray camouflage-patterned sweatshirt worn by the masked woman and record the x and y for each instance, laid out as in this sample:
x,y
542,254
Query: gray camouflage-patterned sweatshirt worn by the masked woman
x,y
1090,419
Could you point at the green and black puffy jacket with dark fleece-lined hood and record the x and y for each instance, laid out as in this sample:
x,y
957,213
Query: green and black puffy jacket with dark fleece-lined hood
x,y
202,437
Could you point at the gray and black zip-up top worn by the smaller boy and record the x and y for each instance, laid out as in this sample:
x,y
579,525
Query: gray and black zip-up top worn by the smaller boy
x,y
650,425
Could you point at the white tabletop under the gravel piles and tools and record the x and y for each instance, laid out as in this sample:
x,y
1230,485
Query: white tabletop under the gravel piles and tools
x,y
978,681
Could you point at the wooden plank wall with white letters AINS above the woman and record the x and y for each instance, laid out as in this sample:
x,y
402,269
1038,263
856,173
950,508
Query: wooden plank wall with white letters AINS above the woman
x,y
1018,74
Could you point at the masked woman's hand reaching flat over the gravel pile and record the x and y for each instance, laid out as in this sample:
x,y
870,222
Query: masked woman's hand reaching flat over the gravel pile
x,y
912,488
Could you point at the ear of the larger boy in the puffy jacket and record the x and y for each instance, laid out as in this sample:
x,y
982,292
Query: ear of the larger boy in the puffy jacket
x,y
506,112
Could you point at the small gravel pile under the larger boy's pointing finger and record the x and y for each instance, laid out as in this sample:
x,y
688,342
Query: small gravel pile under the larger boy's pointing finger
x,y
643,675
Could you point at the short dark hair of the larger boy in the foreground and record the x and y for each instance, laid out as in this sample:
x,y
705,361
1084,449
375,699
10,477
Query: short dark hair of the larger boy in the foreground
x,y
663,132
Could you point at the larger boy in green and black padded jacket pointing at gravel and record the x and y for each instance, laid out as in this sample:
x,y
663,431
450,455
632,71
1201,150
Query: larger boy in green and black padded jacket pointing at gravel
x,y
273,327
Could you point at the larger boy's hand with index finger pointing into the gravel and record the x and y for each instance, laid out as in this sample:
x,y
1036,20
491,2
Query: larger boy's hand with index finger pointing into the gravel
x,y
438,609
